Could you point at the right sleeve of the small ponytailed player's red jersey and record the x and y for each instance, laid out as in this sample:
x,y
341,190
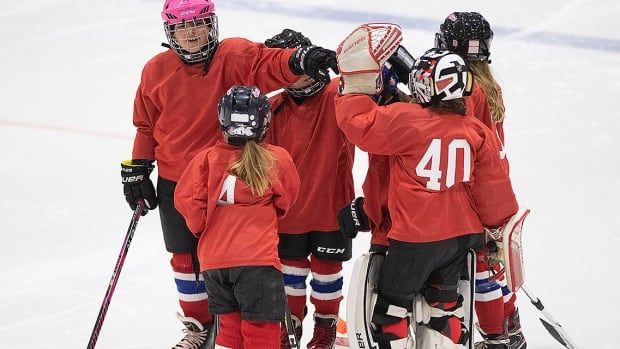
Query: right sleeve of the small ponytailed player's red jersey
x,y
286,184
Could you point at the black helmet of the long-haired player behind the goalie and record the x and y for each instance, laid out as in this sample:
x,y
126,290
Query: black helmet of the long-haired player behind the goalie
x,y
466,33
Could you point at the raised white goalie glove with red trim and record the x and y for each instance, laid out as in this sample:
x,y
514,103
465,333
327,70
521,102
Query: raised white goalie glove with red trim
x,y
362,54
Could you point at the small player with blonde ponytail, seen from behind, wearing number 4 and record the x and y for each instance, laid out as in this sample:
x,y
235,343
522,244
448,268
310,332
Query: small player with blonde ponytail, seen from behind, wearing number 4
x,y
232,195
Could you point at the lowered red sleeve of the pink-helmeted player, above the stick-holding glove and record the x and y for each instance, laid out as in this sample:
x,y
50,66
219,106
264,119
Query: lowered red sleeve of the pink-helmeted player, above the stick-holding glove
x,y
145,115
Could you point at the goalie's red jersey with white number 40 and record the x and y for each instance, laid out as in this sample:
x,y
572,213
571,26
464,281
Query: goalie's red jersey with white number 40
x,y
446,176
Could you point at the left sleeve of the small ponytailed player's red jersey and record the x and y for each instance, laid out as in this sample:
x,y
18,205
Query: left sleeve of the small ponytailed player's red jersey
x,y
191,194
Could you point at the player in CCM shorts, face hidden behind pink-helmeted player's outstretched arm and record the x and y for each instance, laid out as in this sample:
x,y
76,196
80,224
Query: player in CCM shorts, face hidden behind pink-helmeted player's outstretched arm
x,y
310,242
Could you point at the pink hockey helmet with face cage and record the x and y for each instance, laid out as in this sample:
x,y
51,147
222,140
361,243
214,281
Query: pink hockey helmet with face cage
x,y
197,15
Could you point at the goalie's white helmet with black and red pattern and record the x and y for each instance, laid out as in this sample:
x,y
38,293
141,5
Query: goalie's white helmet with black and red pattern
x,y
440,75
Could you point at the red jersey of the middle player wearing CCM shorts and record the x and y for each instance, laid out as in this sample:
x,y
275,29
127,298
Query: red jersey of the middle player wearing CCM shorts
x,y
322,154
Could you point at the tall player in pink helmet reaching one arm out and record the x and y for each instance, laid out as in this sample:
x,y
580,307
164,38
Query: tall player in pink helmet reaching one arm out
x,y
175,116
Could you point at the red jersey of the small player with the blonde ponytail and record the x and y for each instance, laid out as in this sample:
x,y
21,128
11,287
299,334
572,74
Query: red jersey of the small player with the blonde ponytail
x,y
235,227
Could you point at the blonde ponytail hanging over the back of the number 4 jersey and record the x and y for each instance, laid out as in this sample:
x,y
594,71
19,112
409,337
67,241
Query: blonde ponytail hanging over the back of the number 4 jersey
x,y
253,167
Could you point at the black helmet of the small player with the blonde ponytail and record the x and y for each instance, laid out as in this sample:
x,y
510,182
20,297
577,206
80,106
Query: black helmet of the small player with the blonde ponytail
x,y
244,114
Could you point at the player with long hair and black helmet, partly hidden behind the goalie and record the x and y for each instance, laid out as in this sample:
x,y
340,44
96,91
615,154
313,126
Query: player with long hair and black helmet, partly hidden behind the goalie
x,y
469,34
